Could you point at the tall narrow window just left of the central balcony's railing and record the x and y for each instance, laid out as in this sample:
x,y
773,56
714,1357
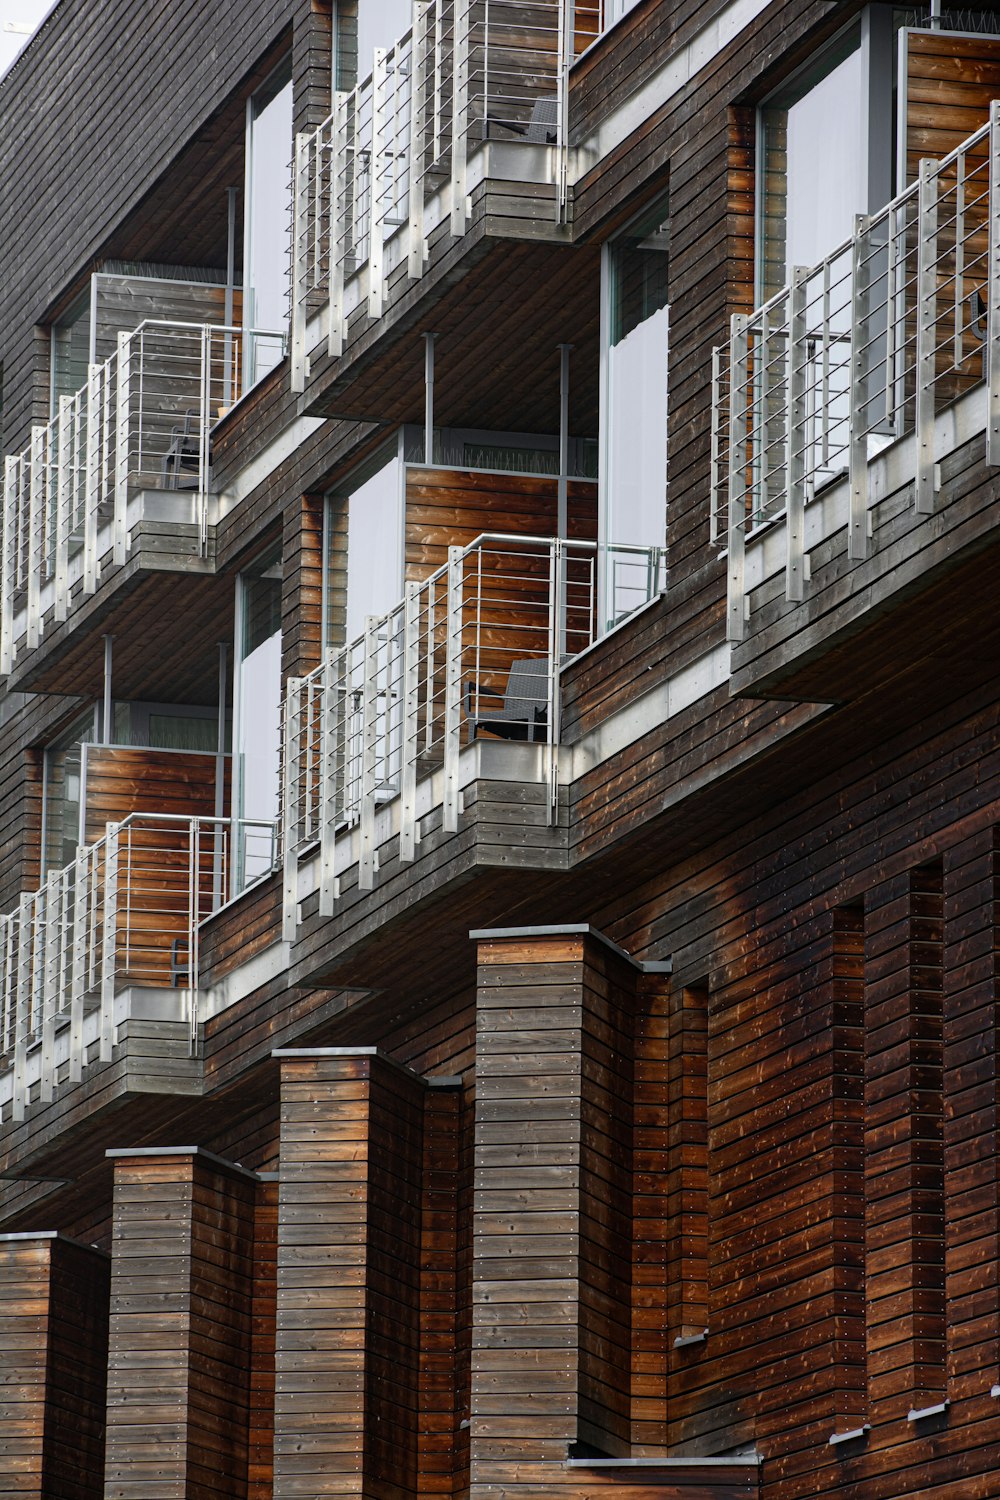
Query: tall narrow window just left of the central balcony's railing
x,y
259,707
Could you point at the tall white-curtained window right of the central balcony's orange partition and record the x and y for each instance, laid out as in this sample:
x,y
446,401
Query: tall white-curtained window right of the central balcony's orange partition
x,y
635,409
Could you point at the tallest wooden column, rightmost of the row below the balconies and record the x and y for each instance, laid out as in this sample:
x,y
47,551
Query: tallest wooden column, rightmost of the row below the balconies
x,y
554,1175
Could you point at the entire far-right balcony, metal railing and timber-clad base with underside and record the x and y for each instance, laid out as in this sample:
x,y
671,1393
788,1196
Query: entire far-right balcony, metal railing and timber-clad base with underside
x,y
852,418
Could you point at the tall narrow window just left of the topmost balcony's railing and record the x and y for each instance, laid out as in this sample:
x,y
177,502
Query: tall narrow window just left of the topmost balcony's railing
x,y
268,223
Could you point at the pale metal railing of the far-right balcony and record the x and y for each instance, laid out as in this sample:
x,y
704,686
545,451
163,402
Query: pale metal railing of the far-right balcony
x,y
855,353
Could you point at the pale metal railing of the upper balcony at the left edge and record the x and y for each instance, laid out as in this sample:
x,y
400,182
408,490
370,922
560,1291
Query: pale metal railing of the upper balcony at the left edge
x,y
142,422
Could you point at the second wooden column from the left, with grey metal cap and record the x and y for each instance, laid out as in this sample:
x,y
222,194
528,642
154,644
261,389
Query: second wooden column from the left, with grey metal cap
x,y
179,1360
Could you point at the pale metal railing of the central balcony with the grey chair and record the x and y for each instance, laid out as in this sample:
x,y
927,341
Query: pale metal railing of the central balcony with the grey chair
x,y
476,647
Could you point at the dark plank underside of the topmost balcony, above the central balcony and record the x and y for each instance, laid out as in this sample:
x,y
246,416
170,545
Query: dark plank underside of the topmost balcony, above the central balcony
x,y
499,310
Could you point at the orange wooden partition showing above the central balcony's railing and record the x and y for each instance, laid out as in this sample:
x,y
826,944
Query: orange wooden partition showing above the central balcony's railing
x,y
452,508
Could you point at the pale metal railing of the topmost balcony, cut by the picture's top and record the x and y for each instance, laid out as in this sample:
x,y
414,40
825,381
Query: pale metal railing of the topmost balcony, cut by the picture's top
x,y
466,73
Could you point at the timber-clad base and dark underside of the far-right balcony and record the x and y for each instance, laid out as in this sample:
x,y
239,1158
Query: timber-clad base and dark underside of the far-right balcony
x,y
926,595
